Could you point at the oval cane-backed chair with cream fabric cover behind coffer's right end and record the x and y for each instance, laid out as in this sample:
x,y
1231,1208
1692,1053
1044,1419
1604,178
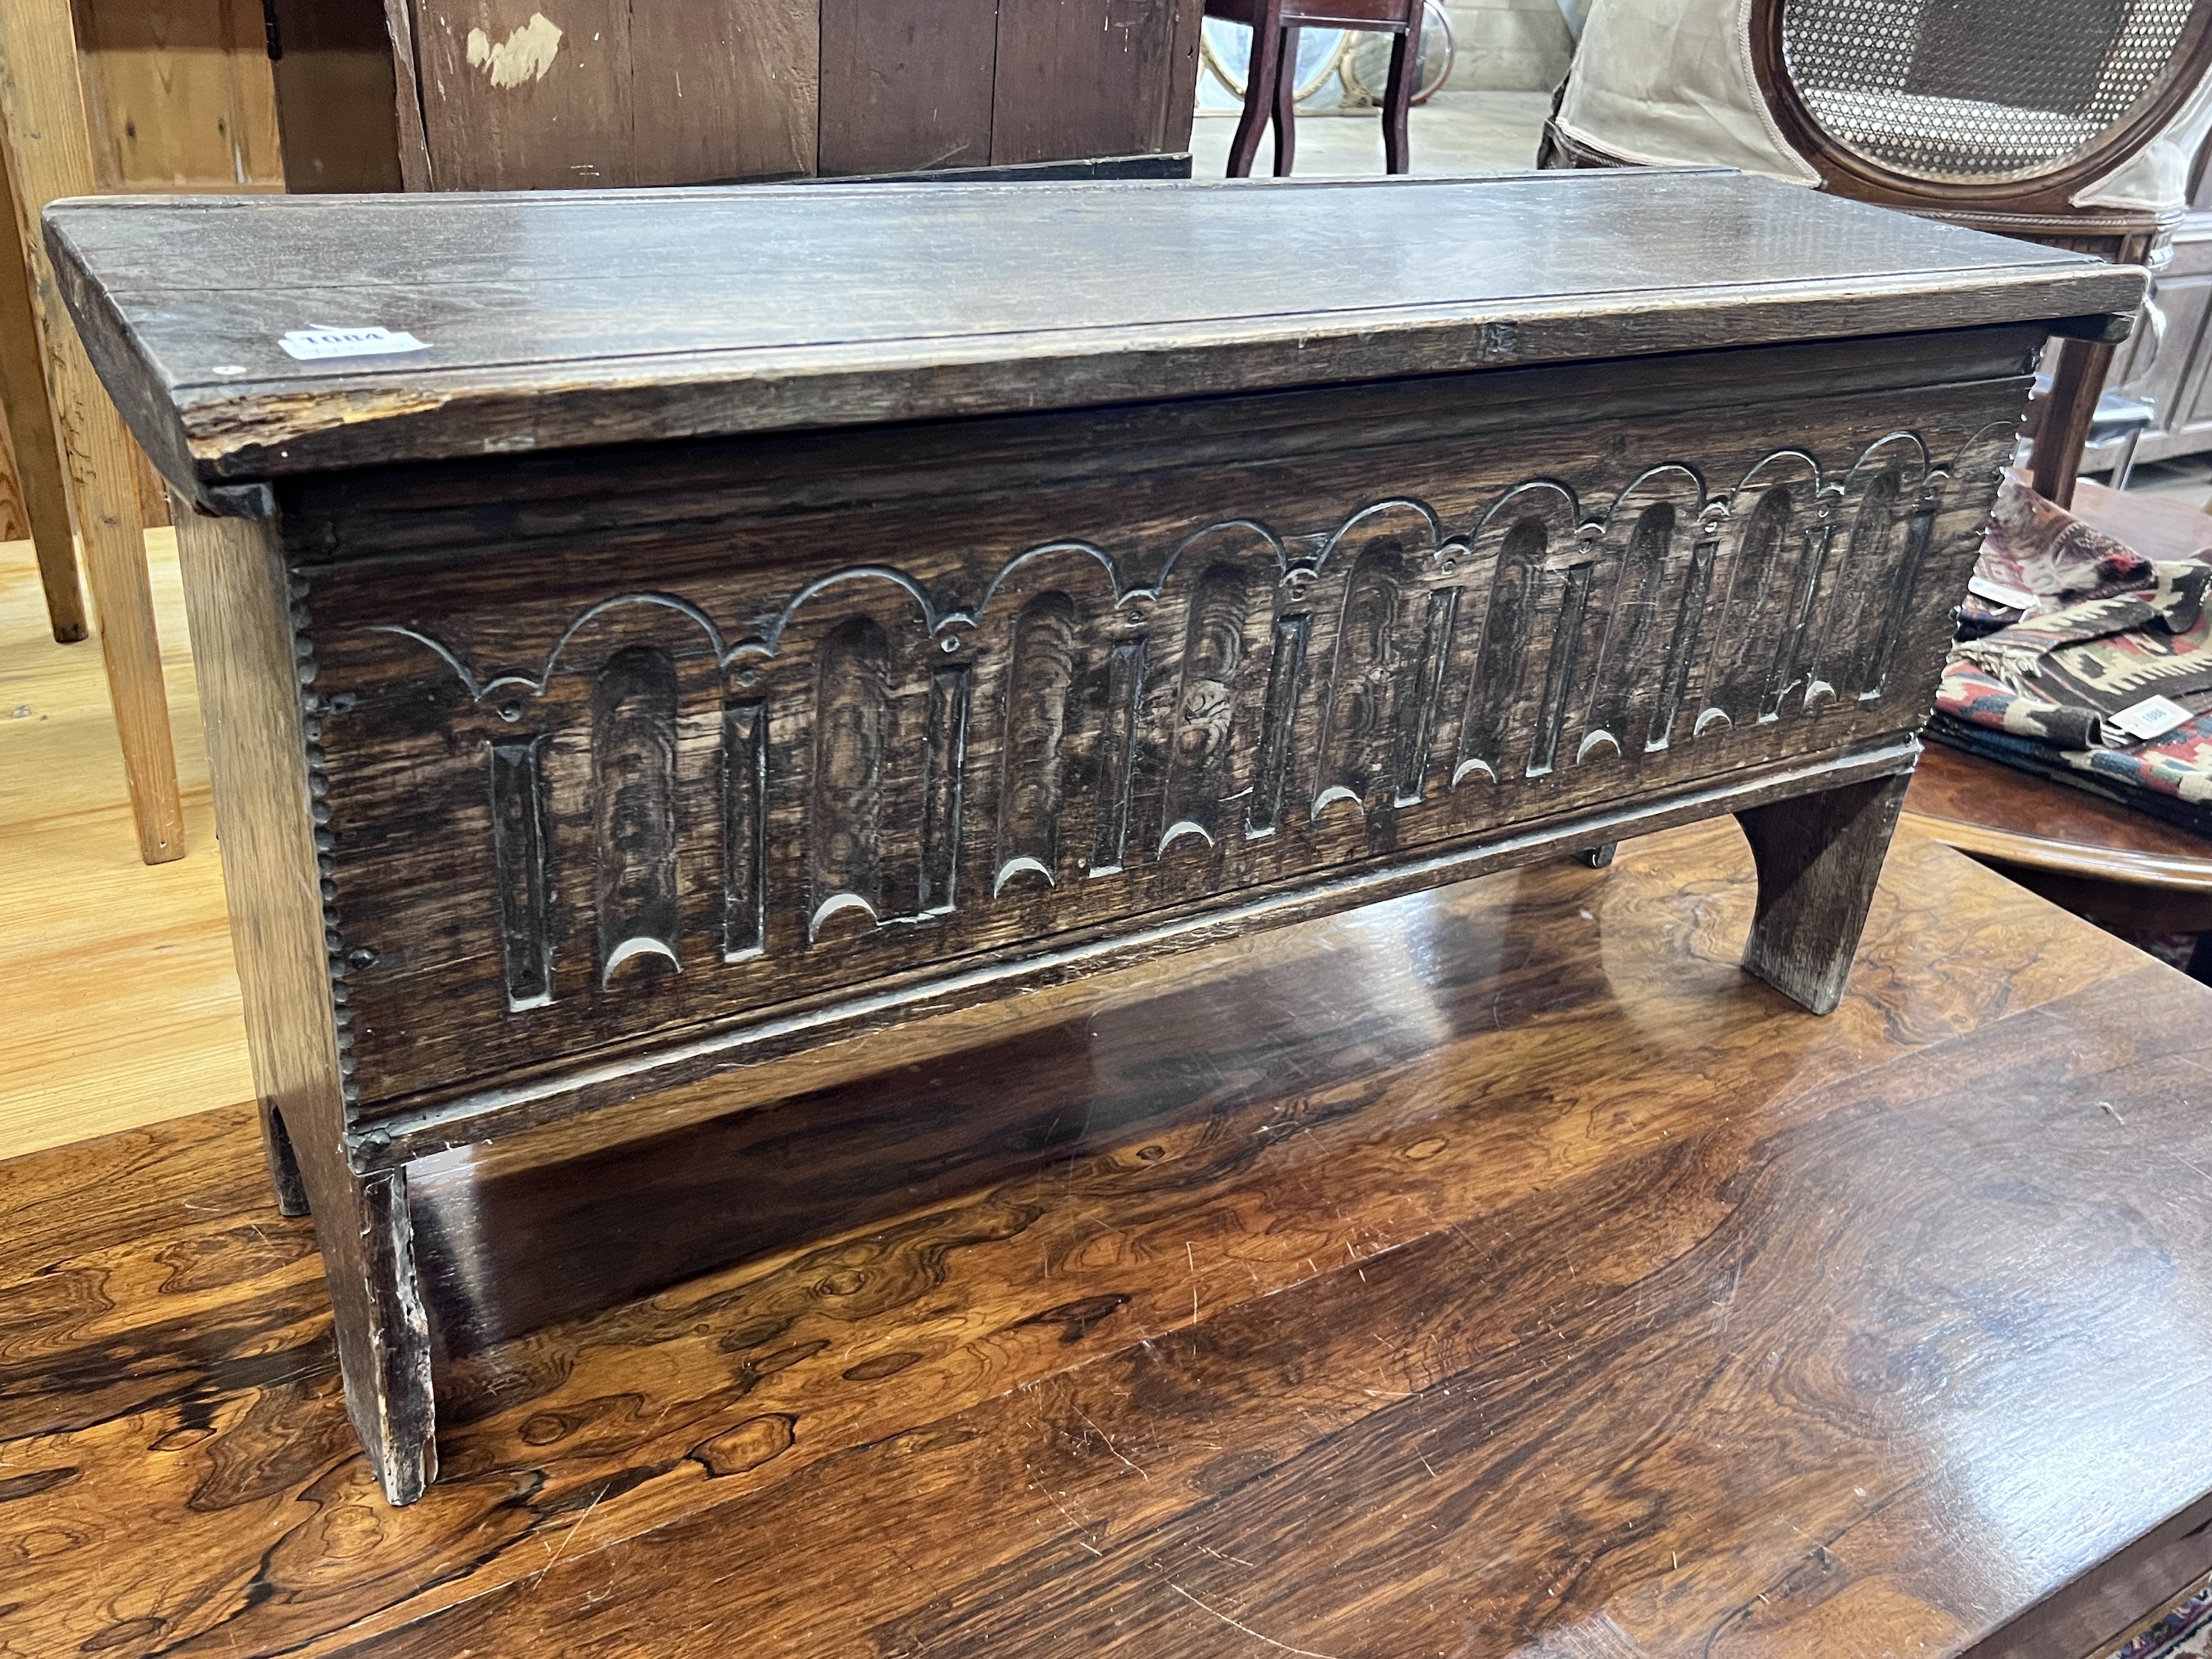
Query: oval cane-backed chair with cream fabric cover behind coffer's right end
x,y
2067,123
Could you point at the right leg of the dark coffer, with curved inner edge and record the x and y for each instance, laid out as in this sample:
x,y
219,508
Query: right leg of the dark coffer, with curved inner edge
x,y
1819,859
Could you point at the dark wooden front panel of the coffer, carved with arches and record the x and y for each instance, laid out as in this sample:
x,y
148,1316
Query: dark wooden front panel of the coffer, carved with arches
x,y
587,789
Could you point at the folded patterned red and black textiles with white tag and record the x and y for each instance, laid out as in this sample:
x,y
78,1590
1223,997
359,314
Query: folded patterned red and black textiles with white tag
x,y
2085,662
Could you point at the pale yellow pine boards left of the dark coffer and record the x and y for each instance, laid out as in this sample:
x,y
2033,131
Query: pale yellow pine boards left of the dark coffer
x,y
121,1005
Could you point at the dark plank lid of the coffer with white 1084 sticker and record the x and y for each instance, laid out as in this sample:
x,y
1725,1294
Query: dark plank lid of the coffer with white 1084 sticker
x,y
567,320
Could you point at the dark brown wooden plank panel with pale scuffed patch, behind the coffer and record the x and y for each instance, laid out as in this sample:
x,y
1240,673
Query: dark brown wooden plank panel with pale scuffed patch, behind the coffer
x,y
547,94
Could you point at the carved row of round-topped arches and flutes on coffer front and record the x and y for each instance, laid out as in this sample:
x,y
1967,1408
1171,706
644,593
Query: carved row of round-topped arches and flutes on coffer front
x,y
868,753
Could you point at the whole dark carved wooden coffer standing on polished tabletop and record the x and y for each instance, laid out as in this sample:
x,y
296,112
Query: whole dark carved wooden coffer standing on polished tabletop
x,y
649,634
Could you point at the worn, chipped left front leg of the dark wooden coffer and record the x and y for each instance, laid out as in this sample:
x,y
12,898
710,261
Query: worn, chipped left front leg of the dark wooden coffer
x,y
384,1331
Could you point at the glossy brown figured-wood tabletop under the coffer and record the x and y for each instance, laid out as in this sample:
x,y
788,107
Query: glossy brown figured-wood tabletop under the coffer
x,y
1490,1273
